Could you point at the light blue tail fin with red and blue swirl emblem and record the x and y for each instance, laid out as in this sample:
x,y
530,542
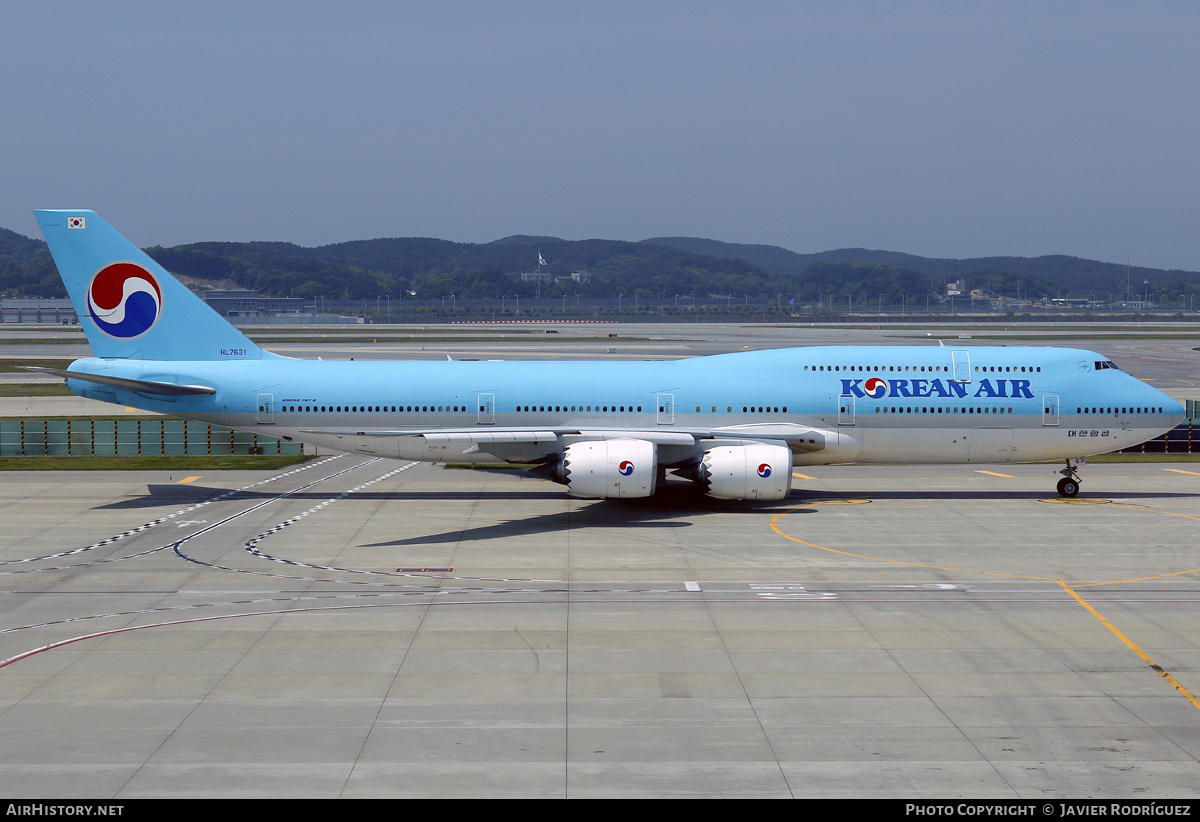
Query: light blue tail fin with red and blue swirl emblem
x,y
128,304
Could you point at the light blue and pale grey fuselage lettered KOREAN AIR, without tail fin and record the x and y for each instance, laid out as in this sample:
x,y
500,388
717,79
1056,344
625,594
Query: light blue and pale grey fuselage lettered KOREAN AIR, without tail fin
x,y
874,404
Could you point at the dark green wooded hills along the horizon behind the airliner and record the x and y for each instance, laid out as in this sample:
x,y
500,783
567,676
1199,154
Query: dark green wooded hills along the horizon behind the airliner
x,y
659,268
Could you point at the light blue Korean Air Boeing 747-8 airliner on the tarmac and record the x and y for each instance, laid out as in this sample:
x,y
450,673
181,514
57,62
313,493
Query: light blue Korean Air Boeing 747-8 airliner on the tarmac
x,y
735,424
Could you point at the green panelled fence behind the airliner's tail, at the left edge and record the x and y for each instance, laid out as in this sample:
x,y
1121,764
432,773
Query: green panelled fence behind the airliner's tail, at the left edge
x,y
136,437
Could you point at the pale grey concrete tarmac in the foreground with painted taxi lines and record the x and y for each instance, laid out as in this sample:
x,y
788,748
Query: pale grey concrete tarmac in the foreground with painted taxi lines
x,y
363,629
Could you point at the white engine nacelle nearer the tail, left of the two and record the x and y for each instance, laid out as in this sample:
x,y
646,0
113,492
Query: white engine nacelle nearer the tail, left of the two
x,y
610,469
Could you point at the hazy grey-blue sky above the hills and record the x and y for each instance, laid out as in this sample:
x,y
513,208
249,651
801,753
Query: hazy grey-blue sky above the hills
x,y
939,129
